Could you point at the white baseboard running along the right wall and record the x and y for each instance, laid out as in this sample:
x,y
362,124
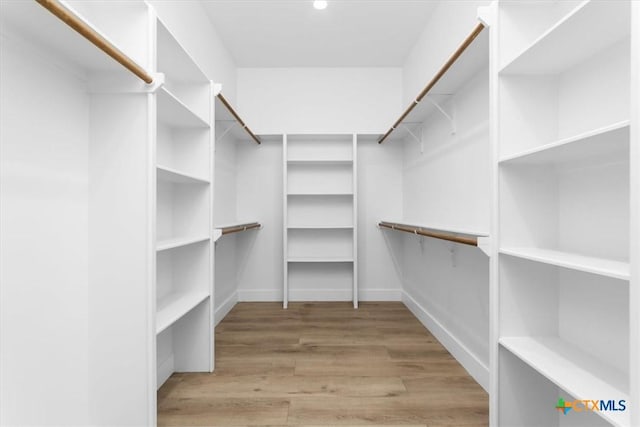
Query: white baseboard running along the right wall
x,y
478,370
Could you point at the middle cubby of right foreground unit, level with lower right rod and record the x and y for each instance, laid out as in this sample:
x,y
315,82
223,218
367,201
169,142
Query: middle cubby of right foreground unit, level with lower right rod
x,y
578,206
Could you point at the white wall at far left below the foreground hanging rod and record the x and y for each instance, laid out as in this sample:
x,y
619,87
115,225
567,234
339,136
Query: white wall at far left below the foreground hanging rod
x,y
44,293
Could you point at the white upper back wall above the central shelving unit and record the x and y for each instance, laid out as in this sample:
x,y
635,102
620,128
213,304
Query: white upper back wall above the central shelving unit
x,y
319,100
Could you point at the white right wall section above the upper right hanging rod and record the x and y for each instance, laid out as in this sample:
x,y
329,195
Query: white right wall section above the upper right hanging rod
x,y
450,23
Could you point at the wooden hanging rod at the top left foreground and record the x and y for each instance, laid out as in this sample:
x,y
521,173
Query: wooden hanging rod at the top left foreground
x,y
85,30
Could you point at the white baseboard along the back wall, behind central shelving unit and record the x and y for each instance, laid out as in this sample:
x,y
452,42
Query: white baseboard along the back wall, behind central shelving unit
x,y
259,295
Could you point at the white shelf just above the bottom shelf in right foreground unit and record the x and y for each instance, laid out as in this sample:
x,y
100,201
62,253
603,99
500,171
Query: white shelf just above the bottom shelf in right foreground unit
x,y
600,266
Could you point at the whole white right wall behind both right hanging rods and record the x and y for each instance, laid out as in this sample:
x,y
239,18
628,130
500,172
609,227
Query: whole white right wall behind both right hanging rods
x,y
448,185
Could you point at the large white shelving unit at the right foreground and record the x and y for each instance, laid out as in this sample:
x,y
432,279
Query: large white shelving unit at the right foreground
x,y
562,262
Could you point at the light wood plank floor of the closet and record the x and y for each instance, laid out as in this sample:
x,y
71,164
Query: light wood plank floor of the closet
x,y
325,364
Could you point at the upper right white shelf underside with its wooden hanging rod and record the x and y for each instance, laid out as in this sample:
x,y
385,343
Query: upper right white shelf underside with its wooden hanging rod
x,y
465,61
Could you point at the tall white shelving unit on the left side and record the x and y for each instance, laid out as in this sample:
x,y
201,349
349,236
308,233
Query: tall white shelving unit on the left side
x,y
184,247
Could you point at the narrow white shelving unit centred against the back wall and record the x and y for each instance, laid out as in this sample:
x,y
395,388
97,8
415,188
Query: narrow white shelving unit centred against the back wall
x,y
320,218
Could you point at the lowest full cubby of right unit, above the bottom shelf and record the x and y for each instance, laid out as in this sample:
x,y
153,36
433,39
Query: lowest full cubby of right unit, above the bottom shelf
x,y
568,307
